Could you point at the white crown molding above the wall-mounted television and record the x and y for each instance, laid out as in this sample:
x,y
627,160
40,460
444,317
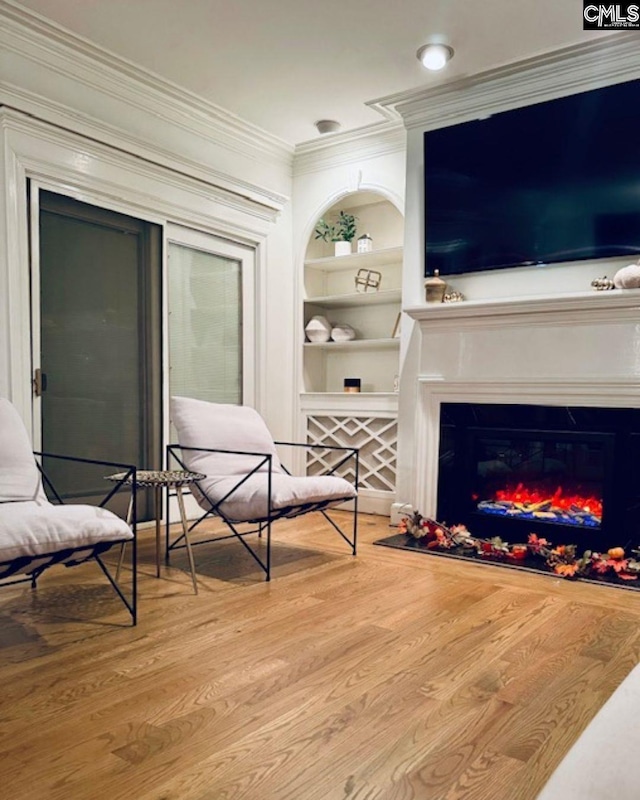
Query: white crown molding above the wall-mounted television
x,y
609,59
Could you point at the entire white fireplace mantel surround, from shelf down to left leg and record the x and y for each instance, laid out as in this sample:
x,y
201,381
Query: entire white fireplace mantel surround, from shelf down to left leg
x,y
573,349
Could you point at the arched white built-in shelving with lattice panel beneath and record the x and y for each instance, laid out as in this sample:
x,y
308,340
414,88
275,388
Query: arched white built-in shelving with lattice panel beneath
x,y
367,419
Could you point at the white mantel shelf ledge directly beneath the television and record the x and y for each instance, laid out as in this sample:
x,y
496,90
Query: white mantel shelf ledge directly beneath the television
x,y
617,305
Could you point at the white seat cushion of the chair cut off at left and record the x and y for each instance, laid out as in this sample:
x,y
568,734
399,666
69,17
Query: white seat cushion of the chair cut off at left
x,y
34,528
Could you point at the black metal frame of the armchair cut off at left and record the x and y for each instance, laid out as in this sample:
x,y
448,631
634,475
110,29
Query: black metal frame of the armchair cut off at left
x,y
96,550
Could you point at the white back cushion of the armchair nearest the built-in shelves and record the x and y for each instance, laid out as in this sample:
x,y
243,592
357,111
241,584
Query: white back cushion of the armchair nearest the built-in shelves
x,y
225,427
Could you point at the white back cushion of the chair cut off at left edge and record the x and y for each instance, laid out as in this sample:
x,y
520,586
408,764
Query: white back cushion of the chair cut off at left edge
x,y
19,476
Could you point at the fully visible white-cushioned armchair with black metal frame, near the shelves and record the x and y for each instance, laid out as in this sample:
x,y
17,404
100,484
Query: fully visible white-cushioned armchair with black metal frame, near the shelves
x,y
245,481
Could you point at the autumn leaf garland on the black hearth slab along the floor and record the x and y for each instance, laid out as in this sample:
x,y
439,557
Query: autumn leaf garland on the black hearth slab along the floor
x,y
537,554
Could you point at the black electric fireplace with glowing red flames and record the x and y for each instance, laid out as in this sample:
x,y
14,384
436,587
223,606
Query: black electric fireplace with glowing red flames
x,y
558,471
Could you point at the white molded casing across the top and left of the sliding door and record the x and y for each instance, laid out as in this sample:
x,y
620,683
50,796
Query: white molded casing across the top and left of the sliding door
x,y
90,172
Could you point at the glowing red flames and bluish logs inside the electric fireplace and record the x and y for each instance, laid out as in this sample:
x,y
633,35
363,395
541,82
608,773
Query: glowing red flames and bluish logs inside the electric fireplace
x,y
534,503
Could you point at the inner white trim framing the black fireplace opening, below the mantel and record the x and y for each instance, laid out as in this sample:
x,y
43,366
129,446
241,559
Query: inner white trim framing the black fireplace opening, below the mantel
x,y
432,392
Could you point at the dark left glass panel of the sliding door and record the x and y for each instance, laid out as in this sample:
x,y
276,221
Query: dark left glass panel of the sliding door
x,y
100,307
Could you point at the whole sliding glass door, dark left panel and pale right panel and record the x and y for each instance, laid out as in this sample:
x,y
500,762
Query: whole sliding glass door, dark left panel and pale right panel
x,y
114,338
